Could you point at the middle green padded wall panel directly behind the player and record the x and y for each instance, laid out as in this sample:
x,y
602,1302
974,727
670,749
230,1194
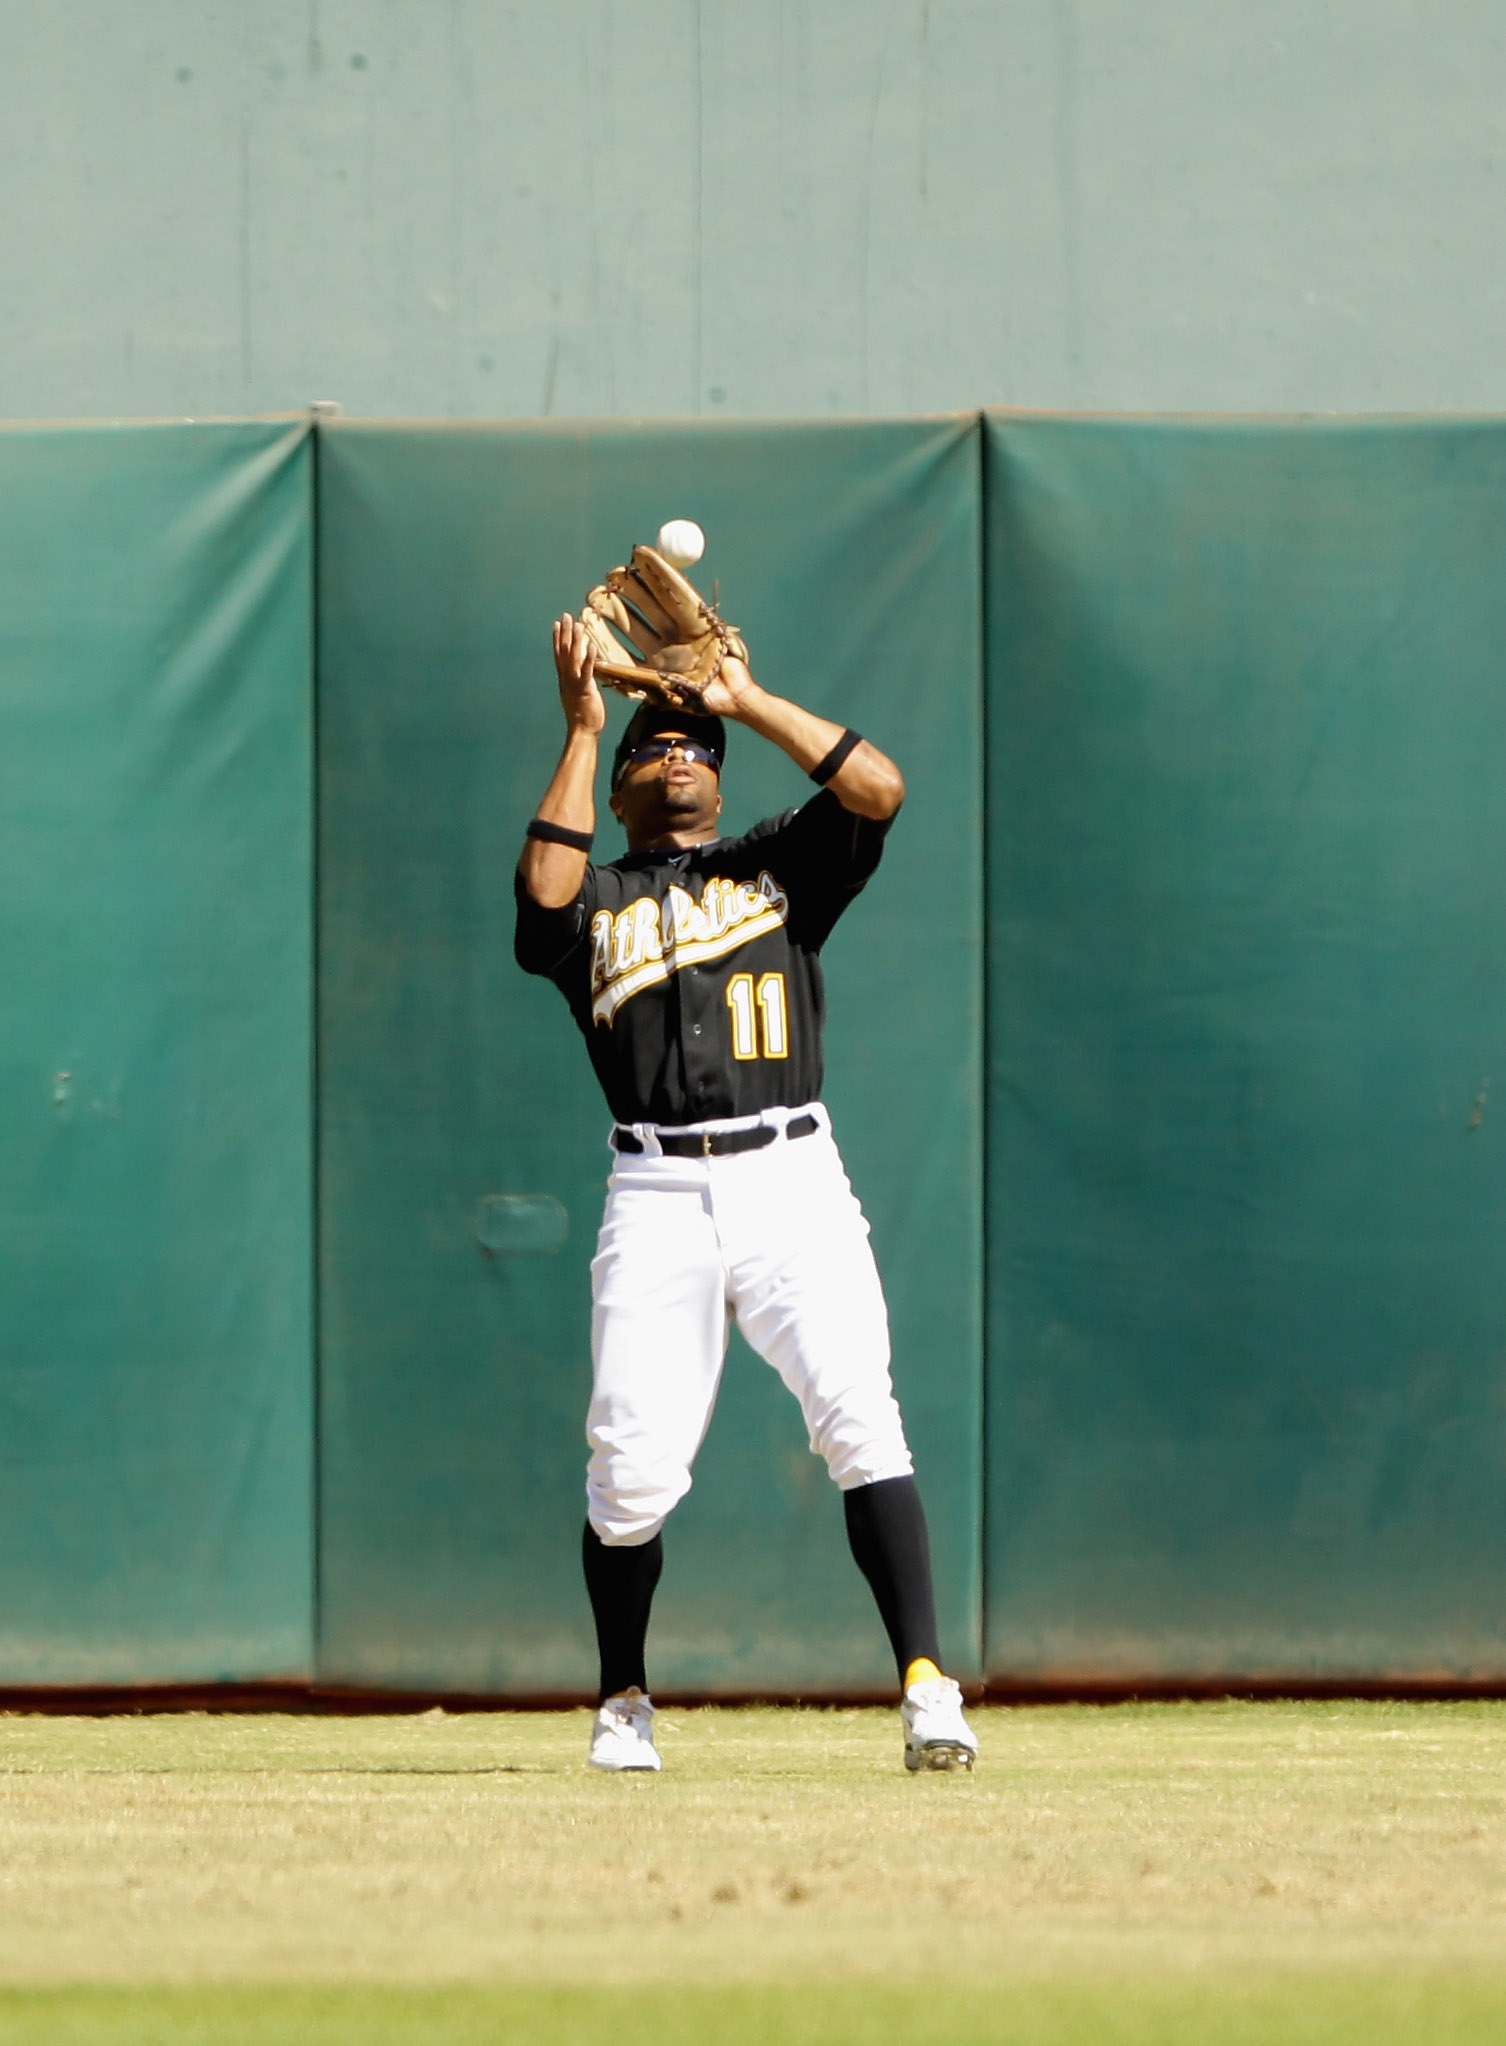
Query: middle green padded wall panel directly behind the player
x,y
463,1141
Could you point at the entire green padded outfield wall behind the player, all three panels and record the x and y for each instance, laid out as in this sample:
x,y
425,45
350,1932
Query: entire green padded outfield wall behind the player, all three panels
x,y
1163,1049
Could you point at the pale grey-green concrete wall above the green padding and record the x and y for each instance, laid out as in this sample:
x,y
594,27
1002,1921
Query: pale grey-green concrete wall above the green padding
x,y
820,208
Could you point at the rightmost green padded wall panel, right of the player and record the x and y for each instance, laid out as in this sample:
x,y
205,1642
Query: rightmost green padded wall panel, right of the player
x,y
1247,1167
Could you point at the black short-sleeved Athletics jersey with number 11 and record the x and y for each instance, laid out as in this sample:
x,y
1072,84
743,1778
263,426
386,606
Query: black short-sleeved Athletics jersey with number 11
x,y
697,977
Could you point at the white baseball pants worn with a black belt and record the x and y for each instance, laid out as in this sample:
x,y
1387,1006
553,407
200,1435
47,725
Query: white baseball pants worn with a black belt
x,y
774,1239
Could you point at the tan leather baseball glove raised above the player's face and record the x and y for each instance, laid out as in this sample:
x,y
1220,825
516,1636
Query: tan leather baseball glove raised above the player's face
x,y
676,639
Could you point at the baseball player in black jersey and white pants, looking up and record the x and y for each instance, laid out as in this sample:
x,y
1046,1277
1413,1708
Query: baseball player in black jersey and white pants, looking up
x,y
693,969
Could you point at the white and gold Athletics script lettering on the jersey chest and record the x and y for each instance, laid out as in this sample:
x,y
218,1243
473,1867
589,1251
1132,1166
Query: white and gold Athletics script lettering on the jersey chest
x,y
648,942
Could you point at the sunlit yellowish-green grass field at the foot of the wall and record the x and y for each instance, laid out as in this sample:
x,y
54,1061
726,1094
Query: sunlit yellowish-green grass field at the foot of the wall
x,y
1302,1873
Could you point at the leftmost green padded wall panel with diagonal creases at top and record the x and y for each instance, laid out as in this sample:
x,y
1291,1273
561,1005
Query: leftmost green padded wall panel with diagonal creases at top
x,y
157,1374
